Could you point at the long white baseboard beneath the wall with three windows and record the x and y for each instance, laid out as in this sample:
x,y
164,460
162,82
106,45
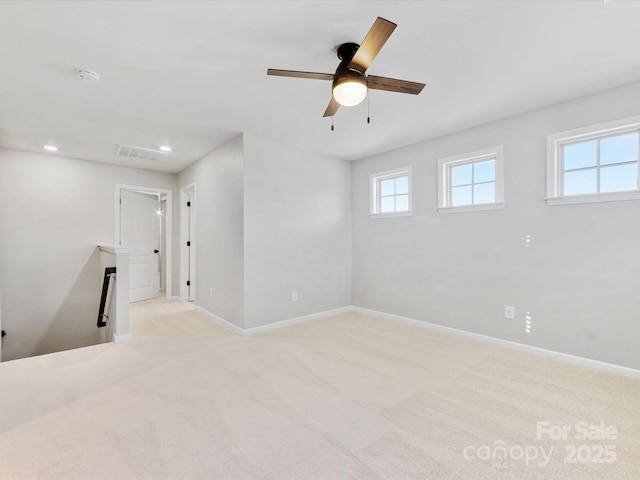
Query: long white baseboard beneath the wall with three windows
x,y
564,357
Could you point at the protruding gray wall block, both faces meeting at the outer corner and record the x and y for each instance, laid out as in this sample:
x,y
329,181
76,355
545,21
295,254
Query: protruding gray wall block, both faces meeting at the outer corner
x,y
270,220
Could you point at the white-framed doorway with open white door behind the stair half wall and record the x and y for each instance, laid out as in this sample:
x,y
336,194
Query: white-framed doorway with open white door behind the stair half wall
x,y
143,222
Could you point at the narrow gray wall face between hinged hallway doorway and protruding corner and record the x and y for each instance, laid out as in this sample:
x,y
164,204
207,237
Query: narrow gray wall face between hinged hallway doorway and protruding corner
x,y
219,230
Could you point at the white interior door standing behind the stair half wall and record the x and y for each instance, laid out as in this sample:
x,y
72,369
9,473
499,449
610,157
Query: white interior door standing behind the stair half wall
x,y
140,230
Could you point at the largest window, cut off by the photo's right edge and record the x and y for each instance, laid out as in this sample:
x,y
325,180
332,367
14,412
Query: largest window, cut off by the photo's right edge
x,y
594,164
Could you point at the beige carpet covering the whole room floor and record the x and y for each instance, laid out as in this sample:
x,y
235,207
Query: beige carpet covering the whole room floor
x,y
347,397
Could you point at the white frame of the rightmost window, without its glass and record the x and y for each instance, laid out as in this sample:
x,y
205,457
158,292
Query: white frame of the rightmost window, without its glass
x,y
555,165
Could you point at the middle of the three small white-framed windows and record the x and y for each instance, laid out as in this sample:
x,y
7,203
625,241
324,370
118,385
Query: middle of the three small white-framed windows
x,y
472,181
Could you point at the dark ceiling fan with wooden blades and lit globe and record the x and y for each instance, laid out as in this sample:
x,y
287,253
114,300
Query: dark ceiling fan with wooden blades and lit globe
x,y
350,83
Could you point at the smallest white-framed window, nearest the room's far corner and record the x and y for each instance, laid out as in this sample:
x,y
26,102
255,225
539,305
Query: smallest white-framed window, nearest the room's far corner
x,y
391,193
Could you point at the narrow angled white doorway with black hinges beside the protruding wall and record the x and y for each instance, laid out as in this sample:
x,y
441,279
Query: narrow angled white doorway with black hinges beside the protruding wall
x,y
187,243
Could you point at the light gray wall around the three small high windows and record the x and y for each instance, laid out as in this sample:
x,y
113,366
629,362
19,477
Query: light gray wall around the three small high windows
x,y
579,278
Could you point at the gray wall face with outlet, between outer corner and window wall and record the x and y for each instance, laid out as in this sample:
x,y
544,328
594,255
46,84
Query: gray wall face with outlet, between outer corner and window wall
x,y
297,232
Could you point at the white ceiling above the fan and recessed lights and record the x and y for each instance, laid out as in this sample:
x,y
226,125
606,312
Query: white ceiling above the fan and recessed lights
x,y
193,74
